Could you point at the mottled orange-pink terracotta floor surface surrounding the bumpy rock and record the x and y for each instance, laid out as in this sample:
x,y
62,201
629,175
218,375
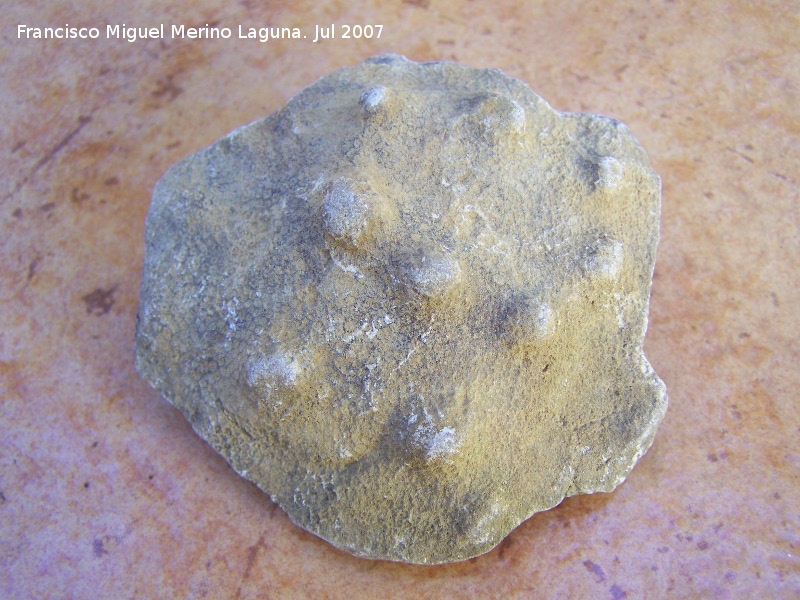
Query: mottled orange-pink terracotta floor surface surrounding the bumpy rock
x,y
105,492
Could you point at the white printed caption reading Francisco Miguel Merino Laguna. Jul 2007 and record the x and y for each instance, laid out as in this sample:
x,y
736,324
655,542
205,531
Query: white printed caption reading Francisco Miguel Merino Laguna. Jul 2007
x,y
321,33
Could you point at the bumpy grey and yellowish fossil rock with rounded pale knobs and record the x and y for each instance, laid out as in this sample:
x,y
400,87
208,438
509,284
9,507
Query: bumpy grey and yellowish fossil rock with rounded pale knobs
x,y
410,305
